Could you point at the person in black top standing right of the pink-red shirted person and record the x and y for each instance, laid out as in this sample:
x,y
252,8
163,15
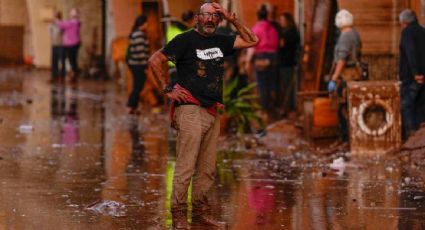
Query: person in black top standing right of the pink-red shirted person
x,y
289,44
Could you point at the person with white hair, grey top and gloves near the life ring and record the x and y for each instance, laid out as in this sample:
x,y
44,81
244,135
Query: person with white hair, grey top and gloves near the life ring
x,y
347,55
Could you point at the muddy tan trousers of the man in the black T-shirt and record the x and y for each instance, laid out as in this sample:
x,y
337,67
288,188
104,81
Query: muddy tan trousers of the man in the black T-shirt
x,y
197,136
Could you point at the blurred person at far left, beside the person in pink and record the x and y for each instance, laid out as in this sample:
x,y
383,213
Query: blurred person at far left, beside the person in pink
x,y
57,55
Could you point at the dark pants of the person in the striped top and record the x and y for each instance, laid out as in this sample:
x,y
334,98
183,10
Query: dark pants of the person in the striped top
x,y
139,79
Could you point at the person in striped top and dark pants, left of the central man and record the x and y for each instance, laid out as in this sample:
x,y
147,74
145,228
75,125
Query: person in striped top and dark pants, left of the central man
x,y
137,60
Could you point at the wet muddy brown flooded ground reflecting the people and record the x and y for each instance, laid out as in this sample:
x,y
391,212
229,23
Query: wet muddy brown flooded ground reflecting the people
x,y
70,158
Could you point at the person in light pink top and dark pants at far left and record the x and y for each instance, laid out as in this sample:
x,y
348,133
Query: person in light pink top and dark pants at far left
x,y
71,40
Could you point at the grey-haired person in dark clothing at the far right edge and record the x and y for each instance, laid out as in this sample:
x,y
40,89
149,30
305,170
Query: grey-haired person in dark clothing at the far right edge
x,y
412,71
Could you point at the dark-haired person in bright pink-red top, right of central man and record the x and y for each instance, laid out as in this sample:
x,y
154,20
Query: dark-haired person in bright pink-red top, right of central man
x,y
264,55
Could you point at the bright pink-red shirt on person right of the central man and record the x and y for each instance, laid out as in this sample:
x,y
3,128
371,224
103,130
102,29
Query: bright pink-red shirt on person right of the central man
x,y
268,36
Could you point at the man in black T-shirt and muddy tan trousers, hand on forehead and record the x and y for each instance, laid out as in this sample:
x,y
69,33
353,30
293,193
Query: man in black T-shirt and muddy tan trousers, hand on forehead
x,y
198,55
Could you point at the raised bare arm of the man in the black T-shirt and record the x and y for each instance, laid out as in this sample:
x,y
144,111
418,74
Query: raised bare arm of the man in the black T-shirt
x,y
246,37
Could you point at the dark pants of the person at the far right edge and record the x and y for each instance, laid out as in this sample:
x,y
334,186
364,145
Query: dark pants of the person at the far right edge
x,y
411,107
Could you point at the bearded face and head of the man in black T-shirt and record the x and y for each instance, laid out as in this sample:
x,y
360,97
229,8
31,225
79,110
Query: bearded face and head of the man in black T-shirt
x,y
207,20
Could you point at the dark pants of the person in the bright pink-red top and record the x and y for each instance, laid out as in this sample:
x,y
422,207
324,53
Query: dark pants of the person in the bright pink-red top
x,y
266,80
